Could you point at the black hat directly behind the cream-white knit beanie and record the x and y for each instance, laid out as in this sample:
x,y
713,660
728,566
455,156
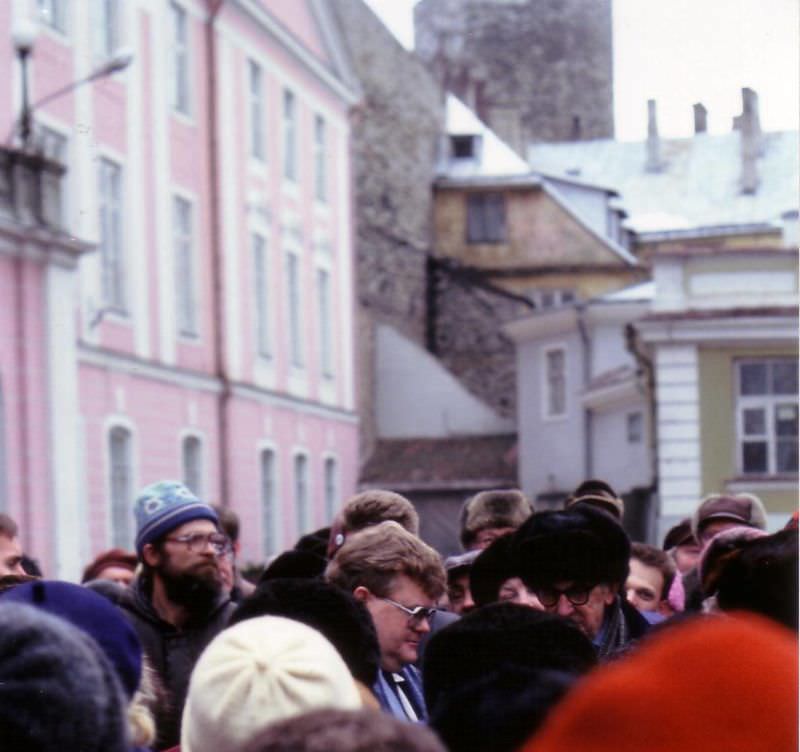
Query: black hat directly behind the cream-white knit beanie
x,y
343,620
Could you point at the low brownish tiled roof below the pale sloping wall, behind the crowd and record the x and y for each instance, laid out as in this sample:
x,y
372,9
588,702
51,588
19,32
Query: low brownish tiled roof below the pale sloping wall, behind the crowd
x,y
455,462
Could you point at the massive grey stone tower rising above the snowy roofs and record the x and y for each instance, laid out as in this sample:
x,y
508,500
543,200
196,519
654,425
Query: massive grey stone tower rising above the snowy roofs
x,y
534,70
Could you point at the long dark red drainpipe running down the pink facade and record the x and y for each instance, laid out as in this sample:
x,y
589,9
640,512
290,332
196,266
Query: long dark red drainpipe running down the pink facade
x,y
218,289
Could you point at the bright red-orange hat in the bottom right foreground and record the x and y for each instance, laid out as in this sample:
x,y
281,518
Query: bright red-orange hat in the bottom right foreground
x,y
717,684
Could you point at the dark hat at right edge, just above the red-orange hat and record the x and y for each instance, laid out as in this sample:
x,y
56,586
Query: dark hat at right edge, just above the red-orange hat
x,y
762,577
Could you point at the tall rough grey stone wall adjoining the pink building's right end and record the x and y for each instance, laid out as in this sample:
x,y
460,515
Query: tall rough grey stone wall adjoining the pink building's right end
x,y
395,135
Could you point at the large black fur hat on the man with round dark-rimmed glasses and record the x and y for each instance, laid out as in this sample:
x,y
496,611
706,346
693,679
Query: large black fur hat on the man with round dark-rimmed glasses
x,y
580,544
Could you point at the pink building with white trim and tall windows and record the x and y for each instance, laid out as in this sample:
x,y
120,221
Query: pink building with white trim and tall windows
x,y
192,317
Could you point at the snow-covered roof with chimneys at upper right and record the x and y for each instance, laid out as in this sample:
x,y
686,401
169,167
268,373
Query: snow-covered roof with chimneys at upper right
x,y
698,185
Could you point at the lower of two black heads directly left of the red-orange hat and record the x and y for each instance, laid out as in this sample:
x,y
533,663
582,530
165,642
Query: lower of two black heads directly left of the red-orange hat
x,y
506,706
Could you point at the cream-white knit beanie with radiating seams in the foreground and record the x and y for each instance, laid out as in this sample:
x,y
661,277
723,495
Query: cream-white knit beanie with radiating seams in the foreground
x,y
255,673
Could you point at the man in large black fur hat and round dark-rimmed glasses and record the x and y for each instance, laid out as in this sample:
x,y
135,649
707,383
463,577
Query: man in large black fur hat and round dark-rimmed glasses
x,y
576,561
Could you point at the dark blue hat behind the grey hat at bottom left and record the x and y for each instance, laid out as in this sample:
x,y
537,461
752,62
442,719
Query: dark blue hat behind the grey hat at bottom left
x,y
92,614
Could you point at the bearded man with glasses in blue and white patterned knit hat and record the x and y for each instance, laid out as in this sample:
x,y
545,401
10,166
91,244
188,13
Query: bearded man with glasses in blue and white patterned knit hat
x,y
177,604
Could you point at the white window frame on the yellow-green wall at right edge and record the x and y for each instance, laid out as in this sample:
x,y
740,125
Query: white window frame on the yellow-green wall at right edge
x,y
767,402
